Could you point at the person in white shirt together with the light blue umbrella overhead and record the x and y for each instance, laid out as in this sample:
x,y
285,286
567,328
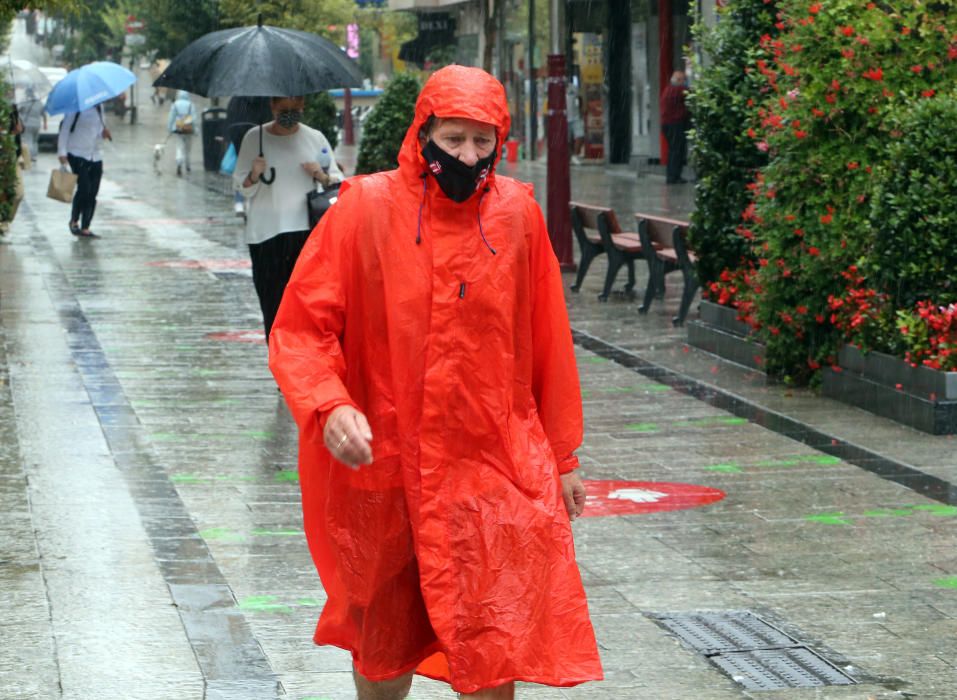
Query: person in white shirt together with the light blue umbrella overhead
x,y
79,97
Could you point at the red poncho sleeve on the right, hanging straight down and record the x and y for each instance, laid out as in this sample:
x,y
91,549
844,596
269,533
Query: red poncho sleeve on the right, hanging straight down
x,y
554,372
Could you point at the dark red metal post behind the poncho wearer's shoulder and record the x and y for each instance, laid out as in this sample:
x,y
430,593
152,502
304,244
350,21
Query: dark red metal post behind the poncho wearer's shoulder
x,y
559,179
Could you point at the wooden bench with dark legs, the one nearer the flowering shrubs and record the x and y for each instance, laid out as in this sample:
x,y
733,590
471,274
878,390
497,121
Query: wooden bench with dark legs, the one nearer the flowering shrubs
x,y
664,241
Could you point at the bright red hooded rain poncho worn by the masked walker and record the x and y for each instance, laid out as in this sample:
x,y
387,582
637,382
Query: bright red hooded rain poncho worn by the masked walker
x,y
452,552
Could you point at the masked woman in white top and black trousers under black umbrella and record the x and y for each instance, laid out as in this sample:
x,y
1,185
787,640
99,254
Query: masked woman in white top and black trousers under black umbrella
x,y
277,219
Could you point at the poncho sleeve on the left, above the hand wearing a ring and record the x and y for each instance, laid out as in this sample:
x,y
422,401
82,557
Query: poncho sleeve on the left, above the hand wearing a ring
x,y
305,351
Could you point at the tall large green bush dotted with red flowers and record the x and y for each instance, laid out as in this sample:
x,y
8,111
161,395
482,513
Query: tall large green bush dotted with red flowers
x,y
839,81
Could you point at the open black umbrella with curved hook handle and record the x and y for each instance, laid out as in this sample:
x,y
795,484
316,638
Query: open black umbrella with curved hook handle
x,y
260,61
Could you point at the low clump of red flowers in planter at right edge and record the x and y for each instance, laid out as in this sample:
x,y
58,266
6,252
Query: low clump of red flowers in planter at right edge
x,y
930,335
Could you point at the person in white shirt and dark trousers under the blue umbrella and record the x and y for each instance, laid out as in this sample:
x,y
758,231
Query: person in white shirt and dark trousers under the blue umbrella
x,y
81,134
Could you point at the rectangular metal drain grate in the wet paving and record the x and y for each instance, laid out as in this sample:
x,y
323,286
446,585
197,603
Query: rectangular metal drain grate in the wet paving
x,y
754,653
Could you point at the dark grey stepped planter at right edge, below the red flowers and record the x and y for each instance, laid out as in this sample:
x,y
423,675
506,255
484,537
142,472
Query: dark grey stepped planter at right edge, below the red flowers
x,y
920,397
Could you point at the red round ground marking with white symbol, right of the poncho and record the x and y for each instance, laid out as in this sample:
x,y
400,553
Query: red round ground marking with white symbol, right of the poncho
x,y
636,497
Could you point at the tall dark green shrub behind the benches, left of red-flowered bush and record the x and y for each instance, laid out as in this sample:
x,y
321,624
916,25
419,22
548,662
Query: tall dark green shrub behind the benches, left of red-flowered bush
x,y
724,156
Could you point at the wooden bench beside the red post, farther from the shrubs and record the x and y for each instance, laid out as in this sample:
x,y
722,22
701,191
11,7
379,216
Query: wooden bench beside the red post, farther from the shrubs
x,y
598,232
